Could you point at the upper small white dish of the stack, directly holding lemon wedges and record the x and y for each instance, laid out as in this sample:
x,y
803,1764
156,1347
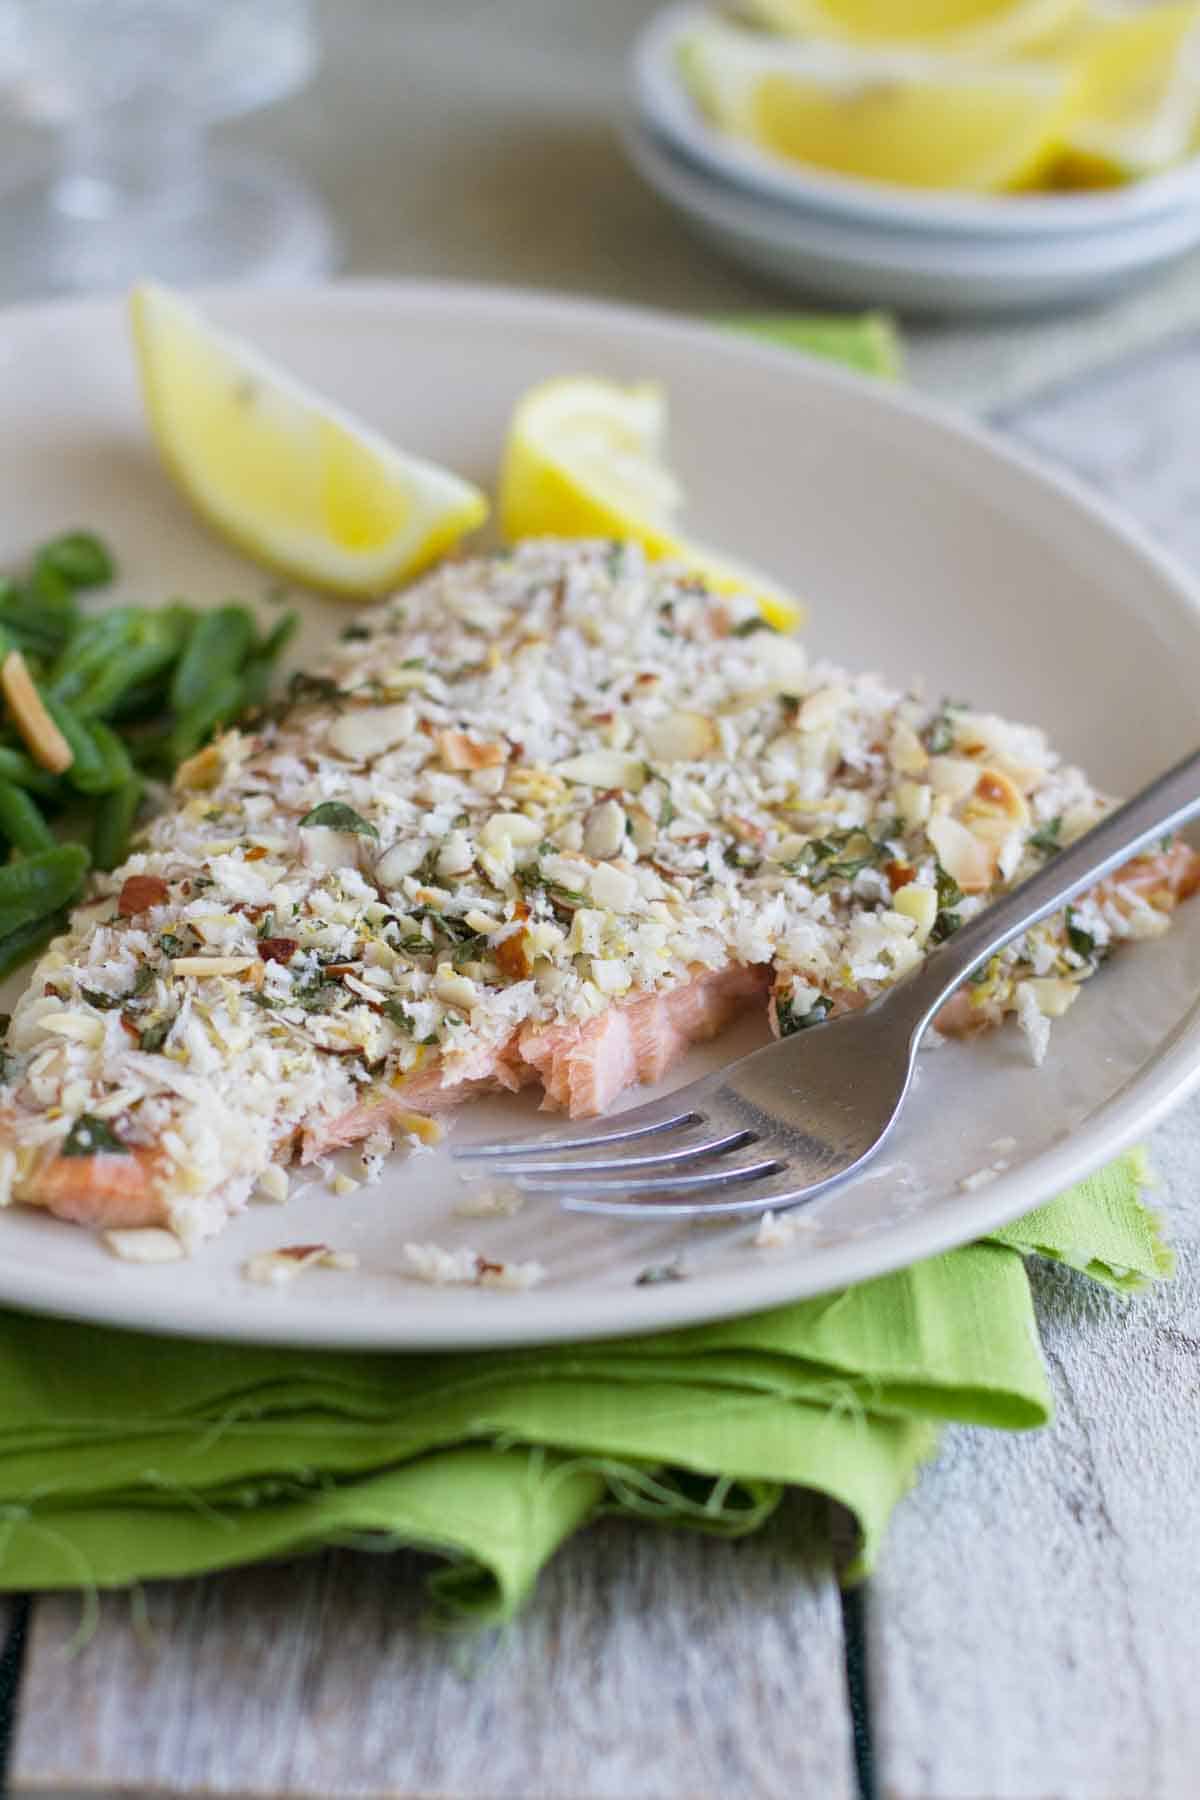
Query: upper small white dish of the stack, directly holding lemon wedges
x,y
668,109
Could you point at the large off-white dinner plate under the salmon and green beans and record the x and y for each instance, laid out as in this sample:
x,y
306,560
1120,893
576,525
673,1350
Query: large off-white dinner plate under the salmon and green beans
x,y
924,546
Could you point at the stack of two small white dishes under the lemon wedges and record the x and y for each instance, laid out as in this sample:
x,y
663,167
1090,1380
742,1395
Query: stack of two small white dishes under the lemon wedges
x,y
872,244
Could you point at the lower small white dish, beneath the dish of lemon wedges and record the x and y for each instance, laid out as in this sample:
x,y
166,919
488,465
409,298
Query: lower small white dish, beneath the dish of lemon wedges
x,y
864,264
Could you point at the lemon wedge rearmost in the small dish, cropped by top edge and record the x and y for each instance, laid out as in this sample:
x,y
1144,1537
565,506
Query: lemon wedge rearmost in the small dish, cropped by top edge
x,y
962,28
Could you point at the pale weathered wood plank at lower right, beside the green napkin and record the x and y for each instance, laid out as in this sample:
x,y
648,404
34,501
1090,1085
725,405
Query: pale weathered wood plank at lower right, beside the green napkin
x,y
1035,1626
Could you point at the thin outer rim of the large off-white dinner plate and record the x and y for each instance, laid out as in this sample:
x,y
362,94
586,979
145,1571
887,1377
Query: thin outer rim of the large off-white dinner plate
x,y
542,1315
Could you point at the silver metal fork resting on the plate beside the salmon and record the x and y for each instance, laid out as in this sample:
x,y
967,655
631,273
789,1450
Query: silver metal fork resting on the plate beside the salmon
x,y
794,1119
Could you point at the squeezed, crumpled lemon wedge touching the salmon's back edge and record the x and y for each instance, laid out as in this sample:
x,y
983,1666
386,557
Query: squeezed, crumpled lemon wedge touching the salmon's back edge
x,y
587,460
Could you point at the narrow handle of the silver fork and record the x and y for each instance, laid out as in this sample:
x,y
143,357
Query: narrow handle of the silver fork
x,y
1158,811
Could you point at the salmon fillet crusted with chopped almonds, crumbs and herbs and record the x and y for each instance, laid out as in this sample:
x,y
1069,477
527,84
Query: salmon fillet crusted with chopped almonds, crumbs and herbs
x,y
548,818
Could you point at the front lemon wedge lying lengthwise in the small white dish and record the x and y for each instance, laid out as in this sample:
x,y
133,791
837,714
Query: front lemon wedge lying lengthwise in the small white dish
x,y
899,118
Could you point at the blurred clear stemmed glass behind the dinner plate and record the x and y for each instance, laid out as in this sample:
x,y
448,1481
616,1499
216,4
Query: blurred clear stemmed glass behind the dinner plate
x,y
132,89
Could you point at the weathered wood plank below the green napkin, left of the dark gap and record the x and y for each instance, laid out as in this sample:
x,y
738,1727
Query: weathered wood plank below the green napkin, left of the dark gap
x,y
649,1668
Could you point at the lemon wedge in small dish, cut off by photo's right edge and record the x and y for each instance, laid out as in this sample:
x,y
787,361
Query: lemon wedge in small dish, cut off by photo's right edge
x,y
1140,98
